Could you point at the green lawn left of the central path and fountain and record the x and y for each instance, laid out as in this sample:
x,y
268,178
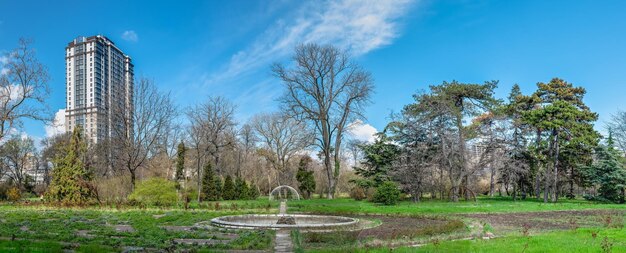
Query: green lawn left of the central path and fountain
x,y
50,226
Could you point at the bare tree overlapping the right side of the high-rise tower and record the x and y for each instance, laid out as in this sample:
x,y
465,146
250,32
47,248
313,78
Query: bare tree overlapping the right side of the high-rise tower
x,y
136,141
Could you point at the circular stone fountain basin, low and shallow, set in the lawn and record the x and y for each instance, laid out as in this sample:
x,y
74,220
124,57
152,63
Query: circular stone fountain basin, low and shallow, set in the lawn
x,y
269,221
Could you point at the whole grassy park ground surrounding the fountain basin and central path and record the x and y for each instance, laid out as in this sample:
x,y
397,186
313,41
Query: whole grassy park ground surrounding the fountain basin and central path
x,y
488,225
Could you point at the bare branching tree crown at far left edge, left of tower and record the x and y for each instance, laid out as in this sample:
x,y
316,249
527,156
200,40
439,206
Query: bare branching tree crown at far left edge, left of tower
x,y
23,88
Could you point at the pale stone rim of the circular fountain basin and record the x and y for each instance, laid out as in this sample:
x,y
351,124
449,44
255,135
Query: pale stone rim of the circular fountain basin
x,y
221,222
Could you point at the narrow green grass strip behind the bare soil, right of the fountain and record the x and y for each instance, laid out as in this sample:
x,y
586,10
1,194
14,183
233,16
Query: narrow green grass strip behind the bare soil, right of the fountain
x,y
437,207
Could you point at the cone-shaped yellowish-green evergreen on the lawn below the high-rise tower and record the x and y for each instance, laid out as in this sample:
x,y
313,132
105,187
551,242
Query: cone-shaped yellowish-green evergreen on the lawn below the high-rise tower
x,y
70,178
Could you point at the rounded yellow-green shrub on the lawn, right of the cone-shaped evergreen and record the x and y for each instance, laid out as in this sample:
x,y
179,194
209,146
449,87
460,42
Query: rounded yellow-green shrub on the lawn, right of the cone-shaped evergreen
x,y
155,191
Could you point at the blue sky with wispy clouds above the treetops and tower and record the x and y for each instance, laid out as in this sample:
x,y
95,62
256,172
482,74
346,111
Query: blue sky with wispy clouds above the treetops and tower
x,y
200,48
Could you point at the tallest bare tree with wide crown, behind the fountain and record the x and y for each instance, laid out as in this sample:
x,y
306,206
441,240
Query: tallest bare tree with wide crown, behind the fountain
x,y
329,91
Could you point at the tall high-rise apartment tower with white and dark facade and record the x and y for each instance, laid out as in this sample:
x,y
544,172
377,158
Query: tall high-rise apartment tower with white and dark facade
x,y
99,78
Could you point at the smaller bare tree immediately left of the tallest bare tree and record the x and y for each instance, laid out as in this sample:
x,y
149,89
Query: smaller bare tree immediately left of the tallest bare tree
x,y
282,138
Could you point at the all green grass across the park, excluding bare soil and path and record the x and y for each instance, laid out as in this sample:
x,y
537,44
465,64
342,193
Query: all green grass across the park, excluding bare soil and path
x,y
53,229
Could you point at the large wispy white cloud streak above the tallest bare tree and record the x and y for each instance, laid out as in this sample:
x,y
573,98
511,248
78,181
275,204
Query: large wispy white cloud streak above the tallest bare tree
x,y
357,25
